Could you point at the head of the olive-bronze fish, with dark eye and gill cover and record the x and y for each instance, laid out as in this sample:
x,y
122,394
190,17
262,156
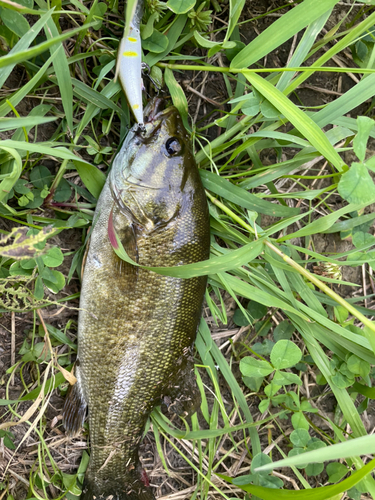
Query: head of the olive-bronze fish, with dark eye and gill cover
x,y
154,169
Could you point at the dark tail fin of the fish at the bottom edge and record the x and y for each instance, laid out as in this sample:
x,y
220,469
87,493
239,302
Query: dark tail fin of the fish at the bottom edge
x,y
136,489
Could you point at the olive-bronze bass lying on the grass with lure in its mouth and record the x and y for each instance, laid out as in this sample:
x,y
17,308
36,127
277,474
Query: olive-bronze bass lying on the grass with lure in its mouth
x,y
137,327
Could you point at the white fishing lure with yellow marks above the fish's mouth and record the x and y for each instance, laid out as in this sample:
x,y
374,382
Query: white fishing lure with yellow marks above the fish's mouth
x,y
129,63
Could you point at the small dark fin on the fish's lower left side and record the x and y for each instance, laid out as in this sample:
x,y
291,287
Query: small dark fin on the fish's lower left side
x,y
74,410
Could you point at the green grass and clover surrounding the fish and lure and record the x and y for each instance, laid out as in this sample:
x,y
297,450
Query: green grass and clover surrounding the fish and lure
x,y
285,350
